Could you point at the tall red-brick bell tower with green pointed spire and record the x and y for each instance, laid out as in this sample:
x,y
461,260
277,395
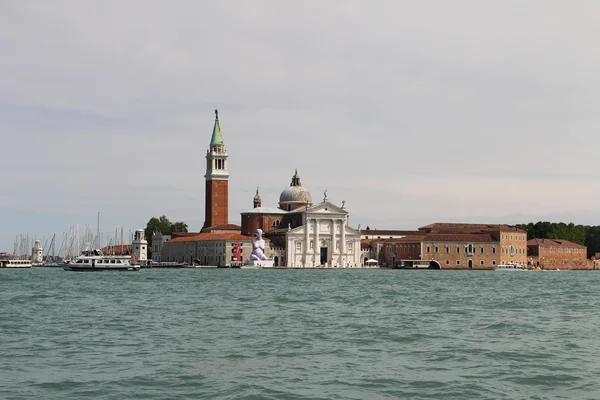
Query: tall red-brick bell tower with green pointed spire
x,y
217,180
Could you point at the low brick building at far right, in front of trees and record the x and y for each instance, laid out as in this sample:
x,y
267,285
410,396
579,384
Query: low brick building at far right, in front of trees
x,y
557,254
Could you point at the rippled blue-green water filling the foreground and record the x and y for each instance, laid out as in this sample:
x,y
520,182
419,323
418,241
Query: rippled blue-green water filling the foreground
x,y
299,334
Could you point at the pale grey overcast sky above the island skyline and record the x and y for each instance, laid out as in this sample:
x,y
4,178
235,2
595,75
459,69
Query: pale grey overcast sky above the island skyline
x,y
410,112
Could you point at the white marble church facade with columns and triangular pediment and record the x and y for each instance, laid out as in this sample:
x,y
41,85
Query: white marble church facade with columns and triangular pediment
x,y
324,239
